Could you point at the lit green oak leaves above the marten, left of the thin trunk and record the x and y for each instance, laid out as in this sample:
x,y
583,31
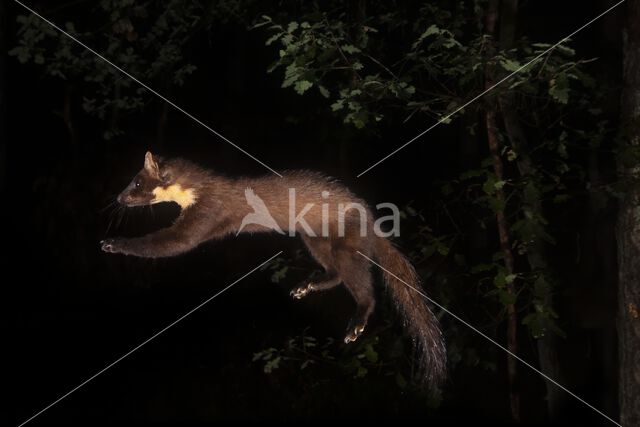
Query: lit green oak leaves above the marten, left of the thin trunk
x,y
345,60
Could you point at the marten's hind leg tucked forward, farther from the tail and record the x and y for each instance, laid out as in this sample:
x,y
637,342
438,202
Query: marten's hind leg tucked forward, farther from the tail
x,y
320,249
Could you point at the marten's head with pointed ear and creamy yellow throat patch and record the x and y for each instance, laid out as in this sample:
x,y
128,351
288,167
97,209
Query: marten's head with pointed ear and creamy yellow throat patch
x,y
156,182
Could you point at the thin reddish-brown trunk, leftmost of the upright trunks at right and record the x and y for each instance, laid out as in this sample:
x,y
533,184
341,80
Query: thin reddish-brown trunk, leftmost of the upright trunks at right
x,y
491,19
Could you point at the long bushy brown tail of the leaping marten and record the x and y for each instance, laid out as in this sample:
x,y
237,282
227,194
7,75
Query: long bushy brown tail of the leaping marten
x,y
420,322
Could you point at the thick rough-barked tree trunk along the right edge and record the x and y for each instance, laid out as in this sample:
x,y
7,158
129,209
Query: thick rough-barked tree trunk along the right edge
x,y
628,229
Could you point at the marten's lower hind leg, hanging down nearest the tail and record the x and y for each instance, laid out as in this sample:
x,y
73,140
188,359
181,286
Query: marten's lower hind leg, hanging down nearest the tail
x,y
356,273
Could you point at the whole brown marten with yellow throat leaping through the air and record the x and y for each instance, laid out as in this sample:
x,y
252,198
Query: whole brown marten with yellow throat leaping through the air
x,y
214,206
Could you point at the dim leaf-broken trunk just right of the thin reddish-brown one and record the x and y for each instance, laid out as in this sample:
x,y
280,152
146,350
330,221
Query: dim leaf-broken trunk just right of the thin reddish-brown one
x,y
536,253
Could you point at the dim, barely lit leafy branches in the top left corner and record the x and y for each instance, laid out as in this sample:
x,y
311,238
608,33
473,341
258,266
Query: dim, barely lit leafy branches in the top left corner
x,y
148,40
